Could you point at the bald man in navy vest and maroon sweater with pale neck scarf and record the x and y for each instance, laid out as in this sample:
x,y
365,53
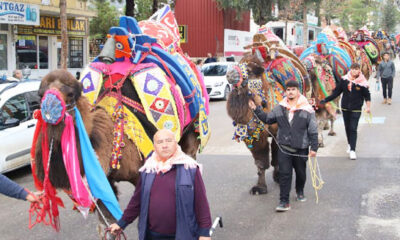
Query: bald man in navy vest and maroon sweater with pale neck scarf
x,y
170,198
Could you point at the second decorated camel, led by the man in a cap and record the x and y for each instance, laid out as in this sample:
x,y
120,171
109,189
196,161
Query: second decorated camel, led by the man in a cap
x,y
260,76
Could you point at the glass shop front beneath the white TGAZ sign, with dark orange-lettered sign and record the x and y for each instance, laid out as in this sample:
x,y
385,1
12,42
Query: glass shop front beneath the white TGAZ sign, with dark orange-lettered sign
x,y
37,44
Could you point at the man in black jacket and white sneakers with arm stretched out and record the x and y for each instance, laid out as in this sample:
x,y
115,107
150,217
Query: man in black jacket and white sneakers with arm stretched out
x,y
355,90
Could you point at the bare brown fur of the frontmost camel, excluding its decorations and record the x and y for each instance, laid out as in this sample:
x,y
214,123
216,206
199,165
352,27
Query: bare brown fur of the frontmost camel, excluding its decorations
x,y
99,127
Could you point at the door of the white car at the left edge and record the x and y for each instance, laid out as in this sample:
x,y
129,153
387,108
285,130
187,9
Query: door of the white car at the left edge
x,y
16,140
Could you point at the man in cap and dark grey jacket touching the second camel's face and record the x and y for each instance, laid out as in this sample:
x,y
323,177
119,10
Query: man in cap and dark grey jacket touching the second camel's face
x,y
297,132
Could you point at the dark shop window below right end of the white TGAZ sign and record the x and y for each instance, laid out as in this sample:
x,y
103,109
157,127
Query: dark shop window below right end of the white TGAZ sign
x,y
26,51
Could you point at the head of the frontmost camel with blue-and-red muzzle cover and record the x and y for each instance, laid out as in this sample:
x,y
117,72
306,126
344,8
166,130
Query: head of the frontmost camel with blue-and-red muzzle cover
x,y
59,91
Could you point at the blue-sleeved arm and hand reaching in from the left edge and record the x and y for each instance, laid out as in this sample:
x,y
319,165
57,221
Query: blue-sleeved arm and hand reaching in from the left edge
x,y
12,189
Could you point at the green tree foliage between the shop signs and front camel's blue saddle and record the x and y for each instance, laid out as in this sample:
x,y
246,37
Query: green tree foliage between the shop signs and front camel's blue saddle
x,y
107,16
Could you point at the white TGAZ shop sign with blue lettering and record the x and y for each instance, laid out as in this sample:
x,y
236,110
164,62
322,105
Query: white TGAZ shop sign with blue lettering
x,y
19,13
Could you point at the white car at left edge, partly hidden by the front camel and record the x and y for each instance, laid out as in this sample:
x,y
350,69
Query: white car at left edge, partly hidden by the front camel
x,y
18,100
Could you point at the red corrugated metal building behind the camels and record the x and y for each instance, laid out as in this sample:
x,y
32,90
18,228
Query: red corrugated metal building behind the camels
x,y
204,25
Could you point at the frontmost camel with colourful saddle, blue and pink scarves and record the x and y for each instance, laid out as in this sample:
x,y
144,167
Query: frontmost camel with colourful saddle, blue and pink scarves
x,y
98,130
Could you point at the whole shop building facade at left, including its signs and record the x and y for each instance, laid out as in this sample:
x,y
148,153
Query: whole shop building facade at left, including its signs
x,y
30,36
